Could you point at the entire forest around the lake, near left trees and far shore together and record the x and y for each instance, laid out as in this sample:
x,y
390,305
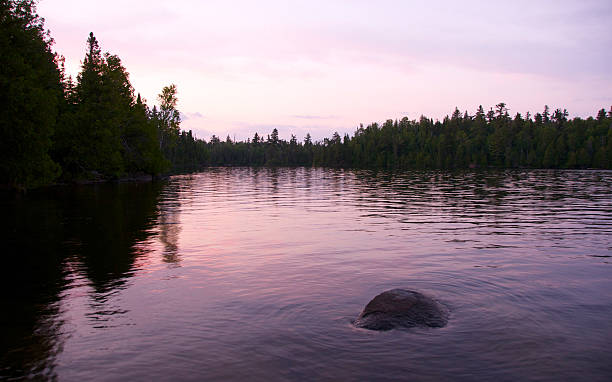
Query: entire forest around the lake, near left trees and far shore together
x,y
95,127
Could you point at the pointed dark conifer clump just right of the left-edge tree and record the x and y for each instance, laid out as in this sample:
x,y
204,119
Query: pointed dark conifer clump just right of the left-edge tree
x,y
105,130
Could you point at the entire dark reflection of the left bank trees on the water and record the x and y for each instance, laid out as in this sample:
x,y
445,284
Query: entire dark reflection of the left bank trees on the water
x,y
52,237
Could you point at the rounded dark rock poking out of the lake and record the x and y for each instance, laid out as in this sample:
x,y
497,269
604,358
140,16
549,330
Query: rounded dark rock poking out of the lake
x,y
402,308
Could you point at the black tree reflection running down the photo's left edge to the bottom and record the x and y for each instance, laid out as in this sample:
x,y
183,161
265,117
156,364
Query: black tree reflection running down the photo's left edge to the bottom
x,y
31,280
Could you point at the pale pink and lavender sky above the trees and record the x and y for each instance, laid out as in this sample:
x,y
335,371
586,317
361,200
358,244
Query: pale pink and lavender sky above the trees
x,y
321,66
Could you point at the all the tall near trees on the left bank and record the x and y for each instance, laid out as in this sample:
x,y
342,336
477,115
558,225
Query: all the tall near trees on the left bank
x,y
94,128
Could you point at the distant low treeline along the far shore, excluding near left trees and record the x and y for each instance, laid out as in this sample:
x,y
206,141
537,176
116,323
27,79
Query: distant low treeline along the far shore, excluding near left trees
x,y
491,139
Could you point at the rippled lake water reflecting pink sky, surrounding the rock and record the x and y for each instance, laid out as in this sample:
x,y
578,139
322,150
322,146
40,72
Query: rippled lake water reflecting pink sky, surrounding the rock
x,y
256,274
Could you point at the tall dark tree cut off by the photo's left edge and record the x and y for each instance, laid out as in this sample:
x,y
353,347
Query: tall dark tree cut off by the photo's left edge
x,y
30,92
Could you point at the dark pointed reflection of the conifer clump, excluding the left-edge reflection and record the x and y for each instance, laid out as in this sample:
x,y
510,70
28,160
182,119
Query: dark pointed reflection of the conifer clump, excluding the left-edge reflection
x,y
108,220
